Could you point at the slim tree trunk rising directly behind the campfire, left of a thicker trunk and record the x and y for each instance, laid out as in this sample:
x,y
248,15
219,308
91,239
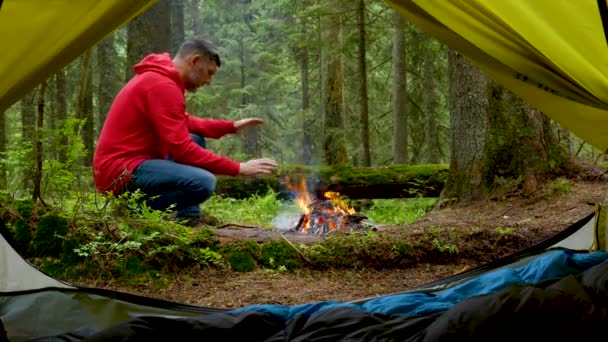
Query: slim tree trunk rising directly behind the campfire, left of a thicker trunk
x,y
307,146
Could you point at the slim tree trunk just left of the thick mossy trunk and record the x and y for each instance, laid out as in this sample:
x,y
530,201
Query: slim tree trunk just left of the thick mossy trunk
x,y
431,131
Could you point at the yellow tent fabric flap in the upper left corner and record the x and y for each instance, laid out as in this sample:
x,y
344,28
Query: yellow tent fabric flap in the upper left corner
x,y
39,37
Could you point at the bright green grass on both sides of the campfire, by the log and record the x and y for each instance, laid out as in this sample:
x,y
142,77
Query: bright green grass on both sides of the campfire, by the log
x,y
261,210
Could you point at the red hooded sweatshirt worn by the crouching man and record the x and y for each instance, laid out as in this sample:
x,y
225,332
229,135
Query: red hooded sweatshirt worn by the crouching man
x,y
148,121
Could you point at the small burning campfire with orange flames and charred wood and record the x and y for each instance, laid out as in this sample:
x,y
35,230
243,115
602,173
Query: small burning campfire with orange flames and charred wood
x,y
323,213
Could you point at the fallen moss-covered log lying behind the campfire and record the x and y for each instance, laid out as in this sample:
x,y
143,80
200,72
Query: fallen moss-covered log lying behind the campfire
x,y
395,181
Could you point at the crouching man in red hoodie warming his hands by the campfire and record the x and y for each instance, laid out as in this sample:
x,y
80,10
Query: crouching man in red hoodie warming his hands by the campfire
x,y
149,141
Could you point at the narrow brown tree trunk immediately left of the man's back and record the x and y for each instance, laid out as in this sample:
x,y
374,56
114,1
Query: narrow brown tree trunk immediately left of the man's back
x,y
85,106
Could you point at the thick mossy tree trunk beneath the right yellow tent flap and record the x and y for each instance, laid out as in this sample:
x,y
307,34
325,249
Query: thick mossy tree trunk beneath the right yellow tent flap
x,y
497,139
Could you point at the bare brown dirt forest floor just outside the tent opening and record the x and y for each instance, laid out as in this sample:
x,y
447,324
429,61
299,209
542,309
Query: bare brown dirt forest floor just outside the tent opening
x,y
527,219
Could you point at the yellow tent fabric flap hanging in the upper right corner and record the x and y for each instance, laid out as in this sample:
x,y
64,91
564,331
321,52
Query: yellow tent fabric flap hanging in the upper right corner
x,y
552,53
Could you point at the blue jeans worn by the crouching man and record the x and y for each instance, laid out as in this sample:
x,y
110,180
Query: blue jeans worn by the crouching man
x,y
173,183
